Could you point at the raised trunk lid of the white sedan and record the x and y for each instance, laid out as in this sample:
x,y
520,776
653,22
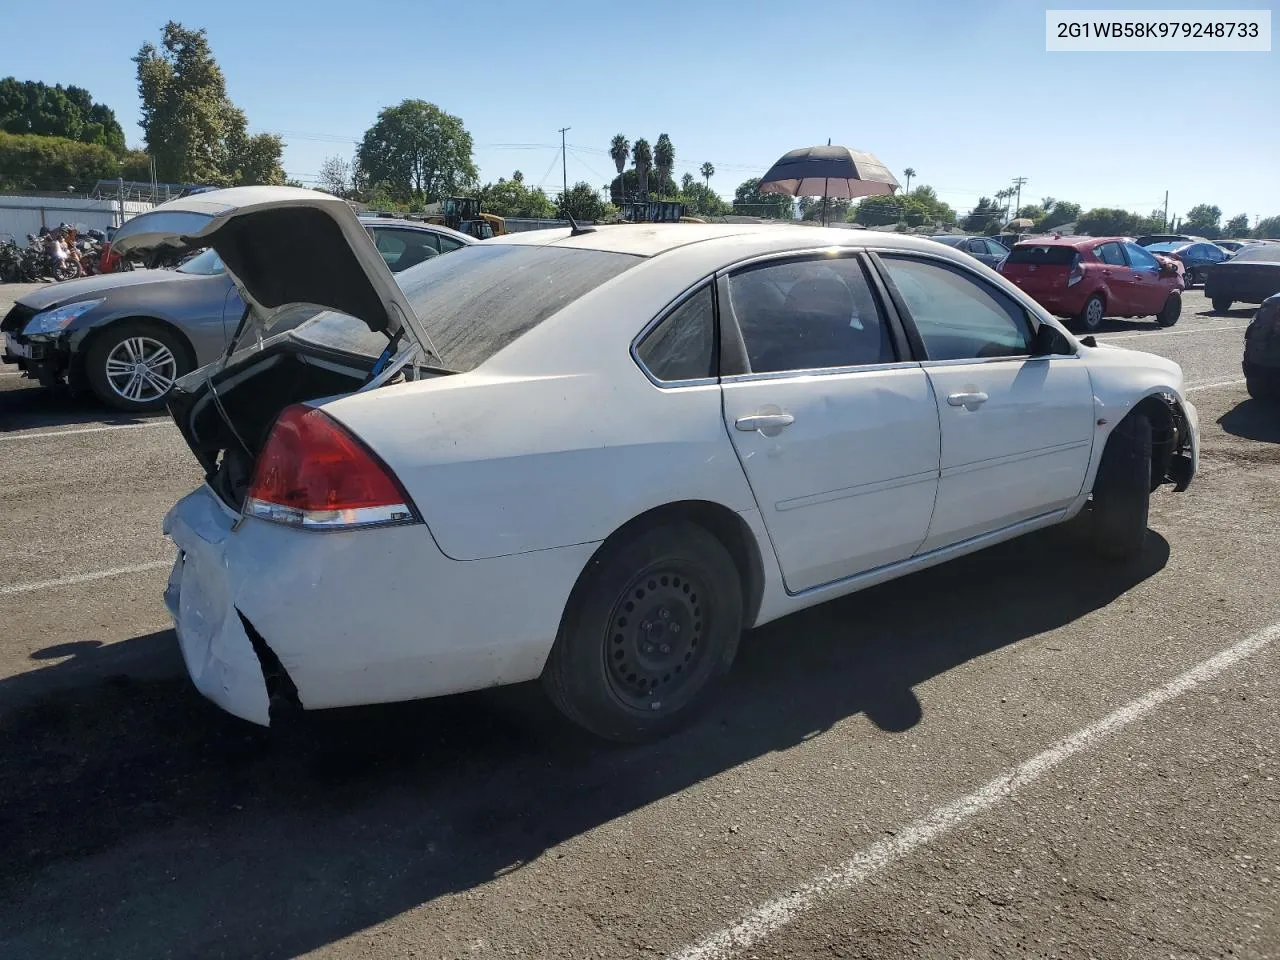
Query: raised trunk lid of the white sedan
x,y
284,246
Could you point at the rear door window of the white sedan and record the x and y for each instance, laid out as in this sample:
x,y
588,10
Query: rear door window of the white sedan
x,y
810,316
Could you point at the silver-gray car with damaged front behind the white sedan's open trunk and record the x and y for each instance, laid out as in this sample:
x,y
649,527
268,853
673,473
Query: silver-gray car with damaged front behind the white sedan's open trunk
x,y
127,337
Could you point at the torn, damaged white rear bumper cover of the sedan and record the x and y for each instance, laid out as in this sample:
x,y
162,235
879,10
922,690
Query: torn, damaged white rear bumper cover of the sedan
x,y
354,618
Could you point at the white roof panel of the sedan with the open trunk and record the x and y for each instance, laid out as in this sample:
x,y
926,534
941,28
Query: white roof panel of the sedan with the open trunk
x,y
652,240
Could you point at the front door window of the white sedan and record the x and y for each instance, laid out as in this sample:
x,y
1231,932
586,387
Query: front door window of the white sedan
x,y
957,317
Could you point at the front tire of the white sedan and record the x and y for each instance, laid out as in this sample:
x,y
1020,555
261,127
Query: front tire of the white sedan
x,y
1122,492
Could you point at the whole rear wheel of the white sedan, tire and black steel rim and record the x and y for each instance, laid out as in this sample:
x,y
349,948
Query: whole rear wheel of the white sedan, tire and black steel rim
x,y
607,673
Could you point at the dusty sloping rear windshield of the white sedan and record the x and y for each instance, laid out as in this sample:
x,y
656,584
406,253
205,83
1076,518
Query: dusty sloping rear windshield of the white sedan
x,y
478,300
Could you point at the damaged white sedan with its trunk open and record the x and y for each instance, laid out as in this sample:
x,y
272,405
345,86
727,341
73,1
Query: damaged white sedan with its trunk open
x,y
597,456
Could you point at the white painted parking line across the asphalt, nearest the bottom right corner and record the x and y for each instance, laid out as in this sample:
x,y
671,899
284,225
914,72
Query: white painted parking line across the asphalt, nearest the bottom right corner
x,y
779,913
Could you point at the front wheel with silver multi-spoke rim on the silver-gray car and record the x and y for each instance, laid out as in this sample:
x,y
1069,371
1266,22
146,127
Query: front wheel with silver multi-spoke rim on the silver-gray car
x,y
132,365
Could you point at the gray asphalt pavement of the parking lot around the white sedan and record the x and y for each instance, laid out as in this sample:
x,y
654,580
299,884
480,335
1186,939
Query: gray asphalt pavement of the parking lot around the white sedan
x,y
1022,753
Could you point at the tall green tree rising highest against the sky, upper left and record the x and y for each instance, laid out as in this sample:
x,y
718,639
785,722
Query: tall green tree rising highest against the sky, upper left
x,y
193,129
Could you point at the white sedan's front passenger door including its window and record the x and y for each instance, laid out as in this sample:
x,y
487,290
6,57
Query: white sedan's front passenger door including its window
x,y
1017,431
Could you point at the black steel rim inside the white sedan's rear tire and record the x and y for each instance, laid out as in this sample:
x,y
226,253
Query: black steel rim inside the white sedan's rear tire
x,y
657,636
